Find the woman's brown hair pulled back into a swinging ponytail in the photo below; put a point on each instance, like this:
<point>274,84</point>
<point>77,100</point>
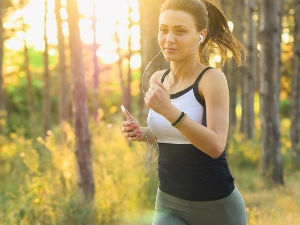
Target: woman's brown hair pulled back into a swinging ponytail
<point>210,17</point>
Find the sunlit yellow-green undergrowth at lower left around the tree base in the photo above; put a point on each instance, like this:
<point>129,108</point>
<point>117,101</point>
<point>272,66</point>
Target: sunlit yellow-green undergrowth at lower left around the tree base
<point>39,186</point>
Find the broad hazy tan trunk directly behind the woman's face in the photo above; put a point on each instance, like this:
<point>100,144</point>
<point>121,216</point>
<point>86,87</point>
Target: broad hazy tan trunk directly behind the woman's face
<point>149,14</point>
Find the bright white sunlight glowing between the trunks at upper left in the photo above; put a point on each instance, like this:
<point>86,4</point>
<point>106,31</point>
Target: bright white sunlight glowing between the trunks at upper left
<point>110,21</point>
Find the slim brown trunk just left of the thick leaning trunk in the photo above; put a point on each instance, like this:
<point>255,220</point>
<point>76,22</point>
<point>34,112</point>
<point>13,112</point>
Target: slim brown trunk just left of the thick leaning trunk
<point>63,79</point>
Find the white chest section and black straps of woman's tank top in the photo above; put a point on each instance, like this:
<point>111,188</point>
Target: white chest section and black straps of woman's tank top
<point>188,101</point>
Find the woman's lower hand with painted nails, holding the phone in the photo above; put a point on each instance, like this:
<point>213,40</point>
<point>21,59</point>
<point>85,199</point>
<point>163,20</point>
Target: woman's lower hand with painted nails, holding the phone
<point>131,128</point>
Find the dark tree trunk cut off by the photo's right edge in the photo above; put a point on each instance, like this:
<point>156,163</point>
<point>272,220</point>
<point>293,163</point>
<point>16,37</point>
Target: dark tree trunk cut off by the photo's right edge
<point>295,106</point>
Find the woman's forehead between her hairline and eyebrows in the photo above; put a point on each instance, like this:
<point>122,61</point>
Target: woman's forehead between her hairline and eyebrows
<point>175,18</point>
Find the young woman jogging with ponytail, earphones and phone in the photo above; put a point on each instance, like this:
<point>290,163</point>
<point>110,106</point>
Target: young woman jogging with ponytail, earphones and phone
<point>189,119</point>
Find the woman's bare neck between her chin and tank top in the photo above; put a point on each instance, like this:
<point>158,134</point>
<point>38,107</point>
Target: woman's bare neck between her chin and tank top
<point>184,68</point>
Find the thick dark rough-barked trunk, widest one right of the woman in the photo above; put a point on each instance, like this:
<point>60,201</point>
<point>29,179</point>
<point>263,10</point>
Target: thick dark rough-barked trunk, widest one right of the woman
<point>269,110</point>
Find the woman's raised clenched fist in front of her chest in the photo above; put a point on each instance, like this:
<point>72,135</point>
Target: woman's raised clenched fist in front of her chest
<point>158,98</point>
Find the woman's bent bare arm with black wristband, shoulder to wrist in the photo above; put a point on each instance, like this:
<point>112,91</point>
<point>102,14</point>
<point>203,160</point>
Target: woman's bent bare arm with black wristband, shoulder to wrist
<point>211,139</point>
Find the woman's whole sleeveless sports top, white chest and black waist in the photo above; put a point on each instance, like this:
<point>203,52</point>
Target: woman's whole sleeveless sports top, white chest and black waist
<point>184,171</point>
